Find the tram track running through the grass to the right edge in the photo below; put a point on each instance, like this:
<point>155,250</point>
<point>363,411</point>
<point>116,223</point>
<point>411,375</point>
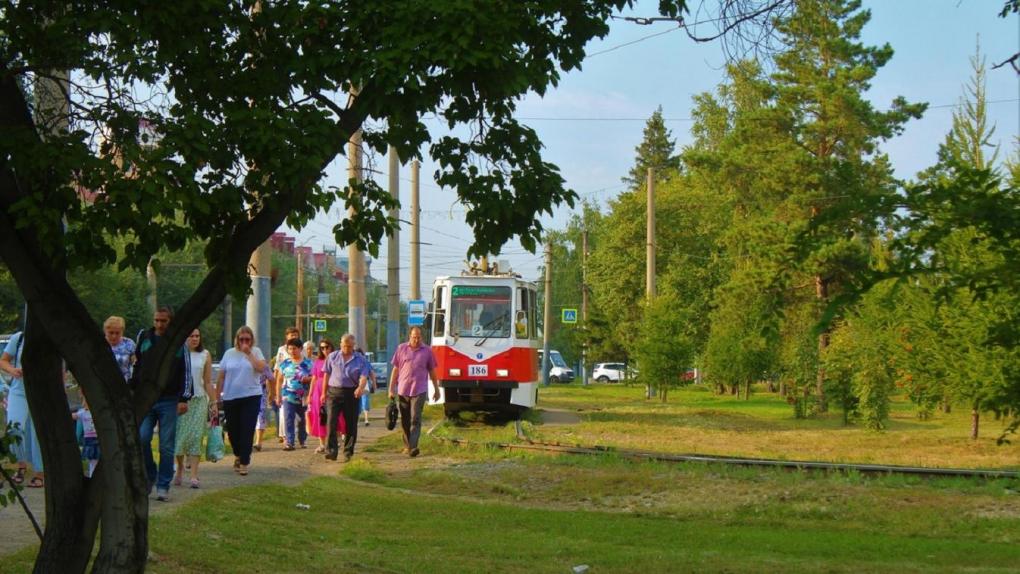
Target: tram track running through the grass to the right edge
<point>862,468</point>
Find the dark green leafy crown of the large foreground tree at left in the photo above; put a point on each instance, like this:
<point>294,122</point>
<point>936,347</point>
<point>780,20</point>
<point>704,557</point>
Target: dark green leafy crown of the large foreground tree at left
<point>258,114</point>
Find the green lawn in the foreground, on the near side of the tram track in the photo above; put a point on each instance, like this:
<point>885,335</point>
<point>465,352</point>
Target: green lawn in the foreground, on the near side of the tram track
<point>487,511</point>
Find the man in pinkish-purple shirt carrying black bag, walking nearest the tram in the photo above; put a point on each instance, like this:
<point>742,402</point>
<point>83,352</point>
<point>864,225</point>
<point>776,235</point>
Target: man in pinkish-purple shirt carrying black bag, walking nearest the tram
<point>414,366</point>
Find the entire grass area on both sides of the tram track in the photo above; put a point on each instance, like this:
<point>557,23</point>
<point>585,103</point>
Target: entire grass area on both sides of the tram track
<point>479,509</point>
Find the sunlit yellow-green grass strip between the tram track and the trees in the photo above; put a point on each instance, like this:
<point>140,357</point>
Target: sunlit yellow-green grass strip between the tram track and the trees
<point>696,421</point>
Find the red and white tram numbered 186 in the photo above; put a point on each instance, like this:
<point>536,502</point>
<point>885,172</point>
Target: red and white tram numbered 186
<point>485,340</point>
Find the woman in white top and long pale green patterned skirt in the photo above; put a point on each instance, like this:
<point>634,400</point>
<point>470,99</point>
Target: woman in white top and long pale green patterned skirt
<point>192,426</point>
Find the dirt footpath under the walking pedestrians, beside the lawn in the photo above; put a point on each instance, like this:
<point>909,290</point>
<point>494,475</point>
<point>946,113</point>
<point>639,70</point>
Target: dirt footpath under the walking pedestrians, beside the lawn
<point>273,465</point>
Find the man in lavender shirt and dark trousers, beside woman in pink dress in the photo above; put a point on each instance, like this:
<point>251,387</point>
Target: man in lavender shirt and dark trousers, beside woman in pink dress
<point>347,375</point>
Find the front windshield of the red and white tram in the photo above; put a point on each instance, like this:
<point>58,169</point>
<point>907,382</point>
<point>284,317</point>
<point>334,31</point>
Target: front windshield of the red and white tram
<point>481,311</point>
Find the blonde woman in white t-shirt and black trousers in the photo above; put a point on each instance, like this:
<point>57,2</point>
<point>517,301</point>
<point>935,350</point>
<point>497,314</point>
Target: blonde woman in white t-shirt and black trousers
<point>240,373</point>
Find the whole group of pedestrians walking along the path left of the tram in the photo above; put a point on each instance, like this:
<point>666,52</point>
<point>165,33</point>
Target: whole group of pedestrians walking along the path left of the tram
<point>318,394</point>
